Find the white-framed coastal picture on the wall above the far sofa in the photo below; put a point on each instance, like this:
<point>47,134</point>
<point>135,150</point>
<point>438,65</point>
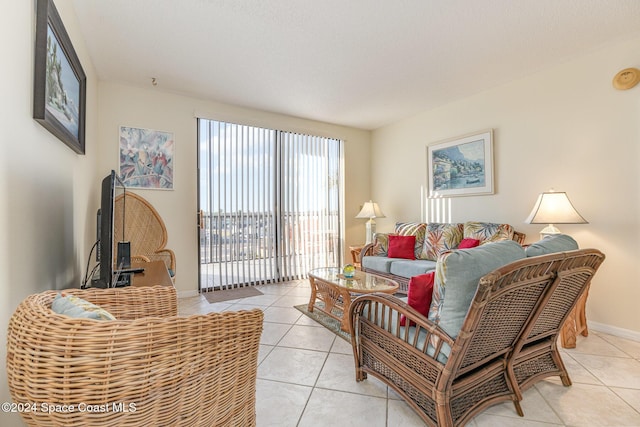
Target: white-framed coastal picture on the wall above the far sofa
<point>461,166</point>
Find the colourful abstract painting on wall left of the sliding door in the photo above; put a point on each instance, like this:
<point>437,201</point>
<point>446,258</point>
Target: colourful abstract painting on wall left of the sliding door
<point>146,158</point>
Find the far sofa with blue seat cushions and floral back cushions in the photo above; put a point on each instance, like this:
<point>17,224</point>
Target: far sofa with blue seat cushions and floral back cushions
<point>431,240</point>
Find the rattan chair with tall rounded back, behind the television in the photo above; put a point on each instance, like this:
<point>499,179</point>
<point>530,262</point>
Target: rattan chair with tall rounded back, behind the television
<point>144,228</point>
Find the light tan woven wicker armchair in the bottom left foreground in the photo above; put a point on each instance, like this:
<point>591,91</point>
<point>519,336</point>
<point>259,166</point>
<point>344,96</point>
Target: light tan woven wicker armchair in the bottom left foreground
<point>148,368</point>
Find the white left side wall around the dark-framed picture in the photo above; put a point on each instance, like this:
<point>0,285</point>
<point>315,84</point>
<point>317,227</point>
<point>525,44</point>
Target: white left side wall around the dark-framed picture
<point>47,192</point>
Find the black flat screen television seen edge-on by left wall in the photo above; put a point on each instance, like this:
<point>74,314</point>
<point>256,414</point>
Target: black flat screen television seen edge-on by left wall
<point>107,245</point>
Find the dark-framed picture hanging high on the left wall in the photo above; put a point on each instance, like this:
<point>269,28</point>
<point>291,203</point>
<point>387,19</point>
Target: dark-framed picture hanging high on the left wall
<point>59,90</point>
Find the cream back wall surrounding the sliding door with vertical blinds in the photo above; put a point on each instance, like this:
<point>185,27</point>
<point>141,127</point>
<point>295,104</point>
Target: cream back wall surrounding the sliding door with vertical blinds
<point>156,109</point>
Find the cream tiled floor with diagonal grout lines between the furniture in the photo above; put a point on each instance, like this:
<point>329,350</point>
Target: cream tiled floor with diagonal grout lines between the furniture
<point>306,376</point>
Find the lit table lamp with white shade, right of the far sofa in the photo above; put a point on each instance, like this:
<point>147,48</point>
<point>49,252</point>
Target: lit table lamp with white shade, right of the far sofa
<point>554,208</point>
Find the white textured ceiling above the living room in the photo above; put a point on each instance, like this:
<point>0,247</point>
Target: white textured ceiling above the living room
<point>359,63</point>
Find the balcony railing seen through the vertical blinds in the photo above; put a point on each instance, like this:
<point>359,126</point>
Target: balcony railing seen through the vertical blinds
<point>247,247</point>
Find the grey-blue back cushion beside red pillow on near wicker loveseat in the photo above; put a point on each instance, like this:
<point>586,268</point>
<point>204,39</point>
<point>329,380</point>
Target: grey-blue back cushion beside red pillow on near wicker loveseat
<point>457,276</point>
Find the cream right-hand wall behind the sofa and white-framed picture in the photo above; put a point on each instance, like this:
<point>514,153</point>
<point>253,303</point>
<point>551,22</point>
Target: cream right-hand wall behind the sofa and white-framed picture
<point>563,127</point>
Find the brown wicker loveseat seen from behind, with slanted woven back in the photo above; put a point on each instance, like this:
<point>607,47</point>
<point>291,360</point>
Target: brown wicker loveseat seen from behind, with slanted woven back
<point>447,381</point>
